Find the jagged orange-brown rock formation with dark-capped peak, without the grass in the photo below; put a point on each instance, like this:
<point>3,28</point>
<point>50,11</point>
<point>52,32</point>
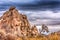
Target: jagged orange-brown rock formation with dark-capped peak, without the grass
<point>14,23</point>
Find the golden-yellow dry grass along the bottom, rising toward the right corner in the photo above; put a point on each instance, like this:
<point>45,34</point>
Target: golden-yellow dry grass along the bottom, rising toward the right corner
<point>49,37</point>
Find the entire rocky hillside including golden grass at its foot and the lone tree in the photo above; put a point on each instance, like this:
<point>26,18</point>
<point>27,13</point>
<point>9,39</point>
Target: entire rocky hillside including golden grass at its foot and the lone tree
<point>15,26</point>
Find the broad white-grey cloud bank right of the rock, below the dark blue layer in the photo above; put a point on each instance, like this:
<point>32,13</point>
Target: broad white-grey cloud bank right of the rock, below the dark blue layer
<point>43,17</point>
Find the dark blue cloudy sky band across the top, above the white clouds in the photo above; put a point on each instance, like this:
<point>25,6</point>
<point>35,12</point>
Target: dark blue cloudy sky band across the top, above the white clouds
<point>31,4</point>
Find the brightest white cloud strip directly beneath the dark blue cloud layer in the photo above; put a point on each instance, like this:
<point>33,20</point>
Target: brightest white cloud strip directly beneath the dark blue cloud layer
<point>43,14</point>
